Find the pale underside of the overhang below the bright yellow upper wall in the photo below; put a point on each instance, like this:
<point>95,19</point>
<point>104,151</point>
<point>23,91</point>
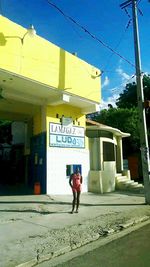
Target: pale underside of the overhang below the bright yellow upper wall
<point>18,88</point>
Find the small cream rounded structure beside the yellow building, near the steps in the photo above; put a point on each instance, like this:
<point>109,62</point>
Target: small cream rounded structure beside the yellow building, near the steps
<point>106,156</point>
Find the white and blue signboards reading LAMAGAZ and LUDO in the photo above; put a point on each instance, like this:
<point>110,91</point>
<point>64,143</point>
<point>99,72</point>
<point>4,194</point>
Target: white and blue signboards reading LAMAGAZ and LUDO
<point>63,136</point>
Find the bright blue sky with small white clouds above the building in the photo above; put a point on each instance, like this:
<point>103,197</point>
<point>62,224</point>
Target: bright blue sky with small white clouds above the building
<point>104,19</point>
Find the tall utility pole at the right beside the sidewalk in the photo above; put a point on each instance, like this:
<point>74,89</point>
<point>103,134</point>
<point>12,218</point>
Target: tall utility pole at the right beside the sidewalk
<point>140,99</point>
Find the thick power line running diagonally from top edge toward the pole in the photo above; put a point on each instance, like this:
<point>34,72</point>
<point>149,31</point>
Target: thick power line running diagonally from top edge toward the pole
<point>89,33</point>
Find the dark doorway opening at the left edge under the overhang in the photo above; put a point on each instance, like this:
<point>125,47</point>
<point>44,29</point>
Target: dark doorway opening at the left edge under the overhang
<point>13,162</point>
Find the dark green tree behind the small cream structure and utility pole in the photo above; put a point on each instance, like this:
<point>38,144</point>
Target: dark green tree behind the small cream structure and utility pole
<point>125,116</point>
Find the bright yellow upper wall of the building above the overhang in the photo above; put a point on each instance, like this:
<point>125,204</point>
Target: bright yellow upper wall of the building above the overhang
<point>43,61</point>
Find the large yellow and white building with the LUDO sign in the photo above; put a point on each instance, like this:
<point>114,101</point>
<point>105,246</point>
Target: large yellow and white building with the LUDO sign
<point>46,93</point>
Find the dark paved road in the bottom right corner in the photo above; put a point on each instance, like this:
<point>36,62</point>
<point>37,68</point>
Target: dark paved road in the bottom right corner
<point>132,250</point>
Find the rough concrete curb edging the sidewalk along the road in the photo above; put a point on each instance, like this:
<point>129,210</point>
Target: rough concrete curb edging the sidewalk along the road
<point>94,237</point>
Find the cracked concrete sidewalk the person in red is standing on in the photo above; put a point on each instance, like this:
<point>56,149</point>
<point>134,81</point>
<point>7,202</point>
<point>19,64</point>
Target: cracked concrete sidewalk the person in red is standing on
<point>36,228</point>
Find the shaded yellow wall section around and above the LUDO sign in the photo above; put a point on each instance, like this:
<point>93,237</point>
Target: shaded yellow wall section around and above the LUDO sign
<point>67,111</point>
